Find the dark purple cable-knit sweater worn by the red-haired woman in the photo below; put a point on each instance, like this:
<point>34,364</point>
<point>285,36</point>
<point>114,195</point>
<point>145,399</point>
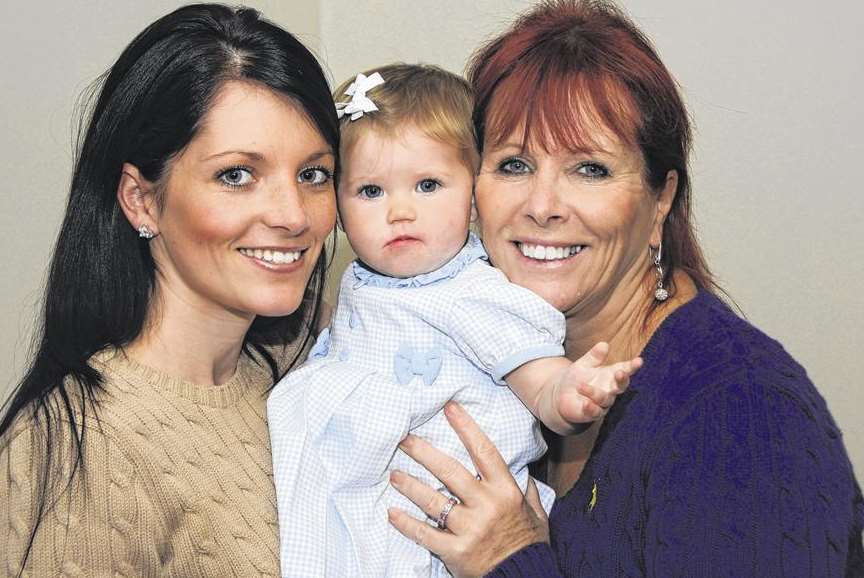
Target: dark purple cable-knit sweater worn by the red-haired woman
<point>721,460</point>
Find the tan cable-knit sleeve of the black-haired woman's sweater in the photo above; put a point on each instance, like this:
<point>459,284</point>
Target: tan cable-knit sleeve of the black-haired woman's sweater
<point>101,524</point>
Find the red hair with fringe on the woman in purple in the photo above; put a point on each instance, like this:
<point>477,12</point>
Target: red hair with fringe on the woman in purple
<point>569,68</point>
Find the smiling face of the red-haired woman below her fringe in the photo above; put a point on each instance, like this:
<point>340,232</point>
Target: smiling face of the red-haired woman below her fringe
<point>574,227</point>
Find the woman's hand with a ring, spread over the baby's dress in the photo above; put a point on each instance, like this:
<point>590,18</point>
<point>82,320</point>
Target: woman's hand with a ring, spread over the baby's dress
<point>492,520</point>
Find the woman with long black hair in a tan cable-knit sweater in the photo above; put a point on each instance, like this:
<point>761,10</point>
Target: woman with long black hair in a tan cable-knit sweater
<point>185,280</point>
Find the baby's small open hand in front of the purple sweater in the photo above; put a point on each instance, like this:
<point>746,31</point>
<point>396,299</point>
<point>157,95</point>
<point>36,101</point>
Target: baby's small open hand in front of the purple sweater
<point>589,388</point>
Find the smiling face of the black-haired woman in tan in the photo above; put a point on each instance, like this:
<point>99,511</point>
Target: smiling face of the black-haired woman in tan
<point>246,207</point>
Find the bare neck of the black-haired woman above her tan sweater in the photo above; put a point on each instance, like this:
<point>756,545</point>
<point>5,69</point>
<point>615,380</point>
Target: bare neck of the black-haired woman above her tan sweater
<point>189,341</point>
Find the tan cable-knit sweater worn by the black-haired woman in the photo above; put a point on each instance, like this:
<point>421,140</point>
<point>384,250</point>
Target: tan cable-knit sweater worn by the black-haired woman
<point>176,482</point>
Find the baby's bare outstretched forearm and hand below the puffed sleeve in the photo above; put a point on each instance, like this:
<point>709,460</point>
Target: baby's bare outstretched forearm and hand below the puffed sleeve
<point>561,393</point>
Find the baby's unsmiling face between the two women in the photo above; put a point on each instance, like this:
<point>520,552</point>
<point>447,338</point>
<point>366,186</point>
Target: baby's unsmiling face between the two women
<point>404,201</point>
